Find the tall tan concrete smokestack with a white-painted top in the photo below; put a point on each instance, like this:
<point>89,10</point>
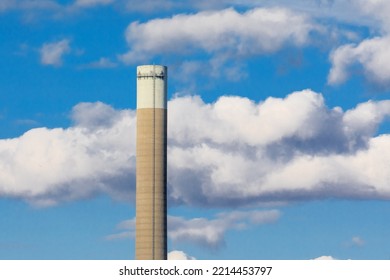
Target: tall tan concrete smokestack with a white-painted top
<point>151,170</point>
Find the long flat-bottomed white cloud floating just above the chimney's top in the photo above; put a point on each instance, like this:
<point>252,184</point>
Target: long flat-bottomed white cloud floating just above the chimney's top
<point>224,32</point>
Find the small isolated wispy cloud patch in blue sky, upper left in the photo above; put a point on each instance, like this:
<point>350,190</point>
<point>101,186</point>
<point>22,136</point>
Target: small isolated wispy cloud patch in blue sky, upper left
<point>52,53</point>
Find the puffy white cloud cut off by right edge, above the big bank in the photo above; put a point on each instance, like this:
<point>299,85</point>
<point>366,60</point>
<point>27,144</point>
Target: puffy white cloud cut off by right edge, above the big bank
<point>372,55</point>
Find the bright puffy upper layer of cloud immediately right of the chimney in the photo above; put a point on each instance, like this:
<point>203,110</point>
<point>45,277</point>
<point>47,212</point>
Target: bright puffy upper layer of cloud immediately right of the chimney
<point>238,119</point>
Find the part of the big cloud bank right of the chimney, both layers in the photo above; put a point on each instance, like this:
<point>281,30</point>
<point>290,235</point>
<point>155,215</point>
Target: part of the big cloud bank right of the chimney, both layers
<point>236,151</point>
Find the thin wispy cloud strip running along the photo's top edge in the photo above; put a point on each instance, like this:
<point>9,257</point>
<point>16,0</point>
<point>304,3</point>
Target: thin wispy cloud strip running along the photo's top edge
<point>371,13</point>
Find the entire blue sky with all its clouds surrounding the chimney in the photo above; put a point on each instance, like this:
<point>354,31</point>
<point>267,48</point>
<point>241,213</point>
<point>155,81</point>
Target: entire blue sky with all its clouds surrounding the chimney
<point>278,127</point>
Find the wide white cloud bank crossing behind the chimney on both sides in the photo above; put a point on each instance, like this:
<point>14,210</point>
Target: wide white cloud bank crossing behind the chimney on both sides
<point>229,153</point>
